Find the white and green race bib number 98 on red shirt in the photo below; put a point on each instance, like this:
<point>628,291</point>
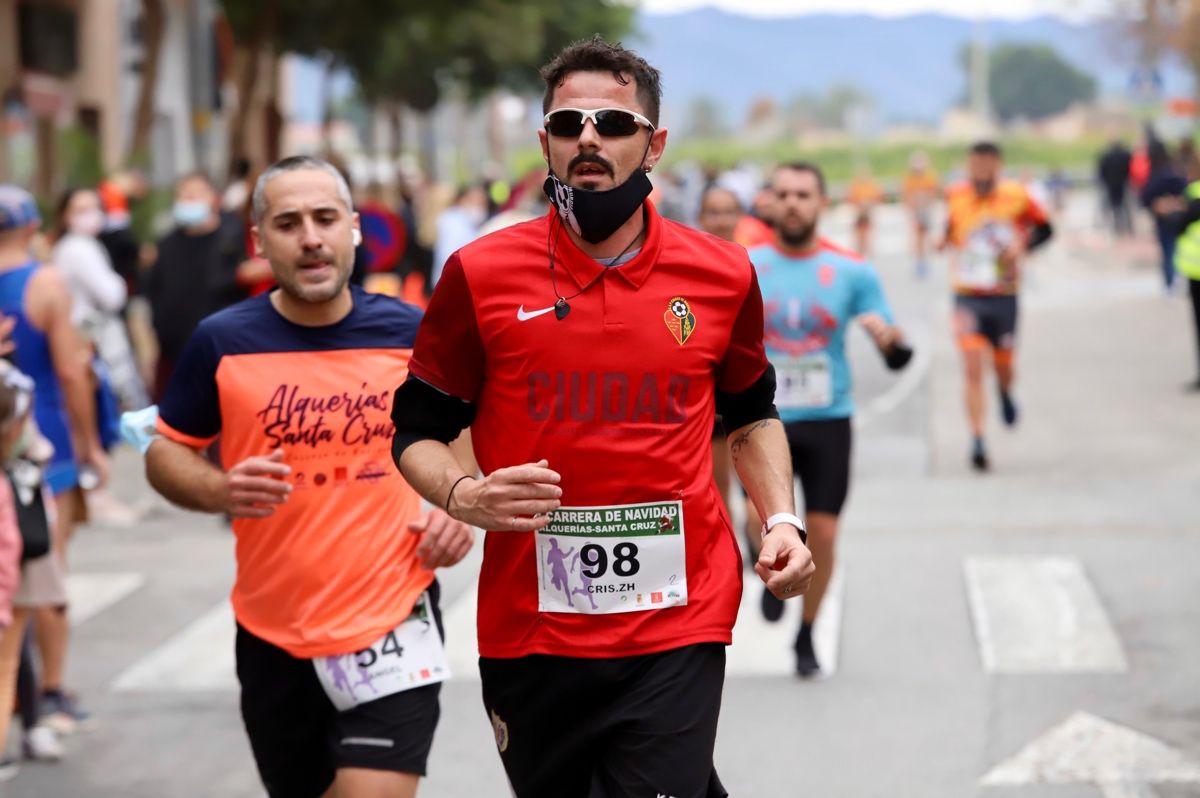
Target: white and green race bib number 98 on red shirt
<point>616,559</point>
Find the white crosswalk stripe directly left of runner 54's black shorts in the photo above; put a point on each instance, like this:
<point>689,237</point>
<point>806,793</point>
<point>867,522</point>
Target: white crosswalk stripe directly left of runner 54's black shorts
<point>200,657</point>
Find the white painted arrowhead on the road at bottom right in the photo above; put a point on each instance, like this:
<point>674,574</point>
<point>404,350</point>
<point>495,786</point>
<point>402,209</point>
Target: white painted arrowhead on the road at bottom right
<point>1085,749</point>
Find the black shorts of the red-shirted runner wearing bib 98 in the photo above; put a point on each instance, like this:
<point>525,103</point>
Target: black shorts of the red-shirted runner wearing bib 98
<point>574,728</point>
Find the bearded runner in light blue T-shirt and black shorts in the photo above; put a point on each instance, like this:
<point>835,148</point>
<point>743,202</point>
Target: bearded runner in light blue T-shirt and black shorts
<point>812,292</point>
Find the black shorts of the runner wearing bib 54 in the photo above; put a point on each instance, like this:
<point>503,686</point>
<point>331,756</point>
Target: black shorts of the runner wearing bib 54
<point>301,741</point>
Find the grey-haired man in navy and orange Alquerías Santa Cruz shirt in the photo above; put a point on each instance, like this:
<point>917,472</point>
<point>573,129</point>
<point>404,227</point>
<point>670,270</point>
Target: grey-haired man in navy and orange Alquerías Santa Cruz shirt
<point>339,662</point>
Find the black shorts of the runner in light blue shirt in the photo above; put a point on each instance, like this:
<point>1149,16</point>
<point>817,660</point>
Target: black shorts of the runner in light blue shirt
<point>821,461</point>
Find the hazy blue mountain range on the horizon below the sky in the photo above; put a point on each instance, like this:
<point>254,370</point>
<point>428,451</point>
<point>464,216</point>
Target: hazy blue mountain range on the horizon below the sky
<point>910,65</point>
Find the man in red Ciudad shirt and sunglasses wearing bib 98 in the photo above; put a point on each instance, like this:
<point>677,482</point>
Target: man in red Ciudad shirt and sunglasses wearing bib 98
<point>589,351</point>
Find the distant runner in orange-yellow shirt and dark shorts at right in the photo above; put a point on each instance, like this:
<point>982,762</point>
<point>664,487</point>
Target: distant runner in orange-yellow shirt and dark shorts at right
<point>992,225</point>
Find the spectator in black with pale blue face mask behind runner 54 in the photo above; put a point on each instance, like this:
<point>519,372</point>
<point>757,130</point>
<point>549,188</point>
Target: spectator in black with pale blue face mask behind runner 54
<point>196,273</point>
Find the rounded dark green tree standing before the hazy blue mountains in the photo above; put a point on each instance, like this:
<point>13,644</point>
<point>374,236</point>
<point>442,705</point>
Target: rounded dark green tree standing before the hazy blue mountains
<point>1033,81</point>
